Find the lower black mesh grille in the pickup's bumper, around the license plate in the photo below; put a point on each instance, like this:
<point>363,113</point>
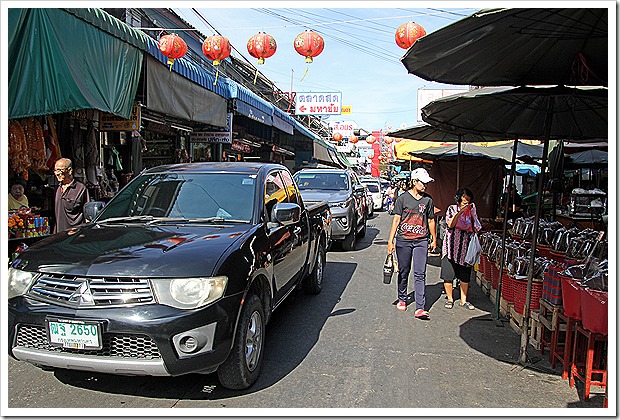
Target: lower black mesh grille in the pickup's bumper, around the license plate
<point>131,346</point>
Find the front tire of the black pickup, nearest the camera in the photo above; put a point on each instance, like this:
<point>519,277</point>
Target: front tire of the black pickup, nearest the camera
<point>241,368</point>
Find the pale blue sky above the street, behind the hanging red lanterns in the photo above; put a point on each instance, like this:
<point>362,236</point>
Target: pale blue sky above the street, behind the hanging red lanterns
<point>360,59</point>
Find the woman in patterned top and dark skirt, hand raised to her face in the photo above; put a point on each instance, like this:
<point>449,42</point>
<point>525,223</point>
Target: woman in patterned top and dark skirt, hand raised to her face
<point>462,221</point>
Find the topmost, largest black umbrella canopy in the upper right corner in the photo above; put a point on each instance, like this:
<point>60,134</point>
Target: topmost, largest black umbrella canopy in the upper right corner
<point>497,47</point>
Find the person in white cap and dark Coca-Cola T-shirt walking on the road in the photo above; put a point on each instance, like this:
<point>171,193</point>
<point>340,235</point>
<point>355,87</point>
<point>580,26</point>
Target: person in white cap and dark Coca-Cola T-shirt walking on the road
<point>412,227</point>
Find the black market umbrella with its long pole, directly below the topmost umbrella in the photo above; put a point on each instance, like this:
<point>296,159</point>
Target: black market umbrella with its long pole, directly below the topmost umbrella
<point>559,112</point>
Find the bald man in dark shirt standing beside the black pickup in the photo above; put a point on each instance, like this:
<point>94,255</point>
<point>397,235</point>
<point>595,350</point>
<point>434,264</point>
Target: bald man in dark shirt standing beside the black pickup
<point>71,195</point>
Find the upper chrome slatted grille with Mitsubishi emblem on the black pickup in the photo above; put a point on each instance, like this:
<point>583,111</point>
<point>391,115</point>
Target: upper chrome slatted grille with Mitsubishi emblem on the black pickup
<point>75,291</point>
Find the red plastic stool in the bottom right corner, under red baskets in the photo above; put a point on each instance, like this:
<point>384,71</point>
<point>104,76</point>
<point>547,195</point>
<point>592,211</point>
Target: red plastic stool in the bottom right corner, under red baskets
<point>589,359</point>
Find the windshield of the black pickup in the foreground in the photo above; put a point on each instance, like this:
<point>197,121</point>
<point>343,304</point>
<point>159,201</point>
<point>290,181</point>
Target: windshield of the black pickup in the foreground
<point>190,196</point>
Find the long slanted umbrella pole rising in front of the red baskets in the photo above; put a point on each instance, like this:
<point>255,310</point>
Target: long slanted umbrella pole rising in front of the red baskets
<point>539,204</point>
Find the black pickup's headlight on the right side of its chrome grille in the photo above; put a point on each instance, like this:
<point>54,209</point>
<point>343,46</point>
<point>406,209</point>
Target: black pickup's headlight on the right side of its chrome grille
<point>189,293</point>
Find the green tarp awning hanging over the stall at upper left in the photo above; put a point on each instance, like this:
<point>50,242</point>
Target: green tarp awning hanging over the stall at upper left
<point>60,62</point>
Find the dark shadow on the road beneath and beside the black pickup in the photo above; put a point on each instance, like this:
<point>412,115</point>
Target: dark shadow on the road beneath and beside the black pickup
<point>291,334</point>
